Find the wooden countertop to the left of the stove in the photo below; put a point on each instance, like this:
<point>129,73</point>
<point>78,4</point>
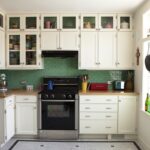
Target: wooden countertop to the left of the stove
<point>18,92</point>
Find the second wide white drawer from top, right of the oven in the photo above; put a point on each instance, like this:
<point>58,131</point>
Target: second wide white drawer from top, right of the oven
<point>98,107</point>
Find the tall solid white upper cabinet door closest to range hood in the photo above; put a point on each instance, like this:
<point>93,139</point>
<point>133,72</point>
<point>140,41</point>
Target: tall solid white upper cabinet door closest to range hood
<point>89,51</point>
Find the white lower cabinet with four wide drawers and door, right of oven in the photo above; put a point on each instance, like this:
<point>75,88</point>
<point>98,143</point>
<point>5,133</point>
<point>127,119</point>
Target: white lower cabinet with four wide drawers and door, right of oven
<point>105,114</point>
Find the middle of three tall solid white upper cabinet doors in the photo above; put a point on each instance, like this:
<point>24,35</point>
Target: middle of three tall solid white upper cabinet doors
<point>107,49</point>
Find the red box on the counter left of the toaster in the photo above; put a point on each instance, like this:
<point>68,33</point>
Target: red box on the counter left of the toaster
<point>99,86</point>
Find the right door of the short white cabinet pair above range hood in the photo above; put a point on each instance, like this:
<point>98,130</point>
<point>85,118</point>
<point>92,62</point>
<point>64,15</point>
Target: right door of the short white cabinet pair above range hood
<point>69,40</point>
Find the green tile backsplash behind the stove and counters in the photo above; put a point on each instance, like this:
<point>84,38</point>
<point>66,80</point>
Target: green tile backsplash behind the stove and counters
<point>58,67</point>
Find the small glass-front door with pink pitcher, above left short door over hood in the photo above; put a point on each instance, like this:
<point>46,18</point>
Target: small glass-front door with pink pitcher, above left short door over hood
<point>50,22</point>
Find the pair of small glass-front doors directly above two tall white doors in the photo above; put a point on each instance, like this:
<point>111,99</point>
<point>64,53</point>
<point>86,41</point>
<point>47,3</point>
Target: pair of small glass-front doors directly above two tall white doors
<point>95,22</point>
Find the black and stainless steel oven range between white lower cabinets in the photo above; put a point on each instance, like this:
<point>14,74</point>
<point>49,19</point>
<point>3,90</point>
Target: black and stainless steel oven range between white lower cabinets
<point>58,112</point>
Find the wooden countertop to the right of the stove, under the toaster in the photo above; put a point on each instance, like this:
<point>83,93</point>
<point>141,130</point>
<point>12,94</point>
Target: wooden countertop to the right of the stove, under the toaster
<point>109,93</point>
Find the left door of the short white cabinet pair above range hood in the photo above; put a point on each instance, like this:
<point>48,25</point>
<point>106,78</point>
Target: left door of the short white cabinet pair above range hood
<point>49,40</point>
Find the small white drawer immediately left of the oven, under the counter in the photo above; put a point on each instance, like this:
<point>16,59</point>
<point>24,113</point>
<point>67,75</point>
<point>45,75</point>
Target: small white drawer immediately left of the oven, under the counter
<point>26,99</point>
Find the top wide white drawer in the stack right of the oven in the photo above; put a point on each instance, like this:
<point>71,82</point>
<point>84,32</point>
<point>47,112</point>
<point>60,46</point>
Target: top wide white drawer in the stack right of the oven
<point>98,99</point>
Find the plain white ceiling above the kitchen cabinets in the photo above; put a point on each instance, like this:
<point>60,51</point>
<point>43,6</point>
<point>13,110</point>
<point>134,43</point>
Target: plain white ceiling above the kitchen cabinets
<point>70,5</point>
